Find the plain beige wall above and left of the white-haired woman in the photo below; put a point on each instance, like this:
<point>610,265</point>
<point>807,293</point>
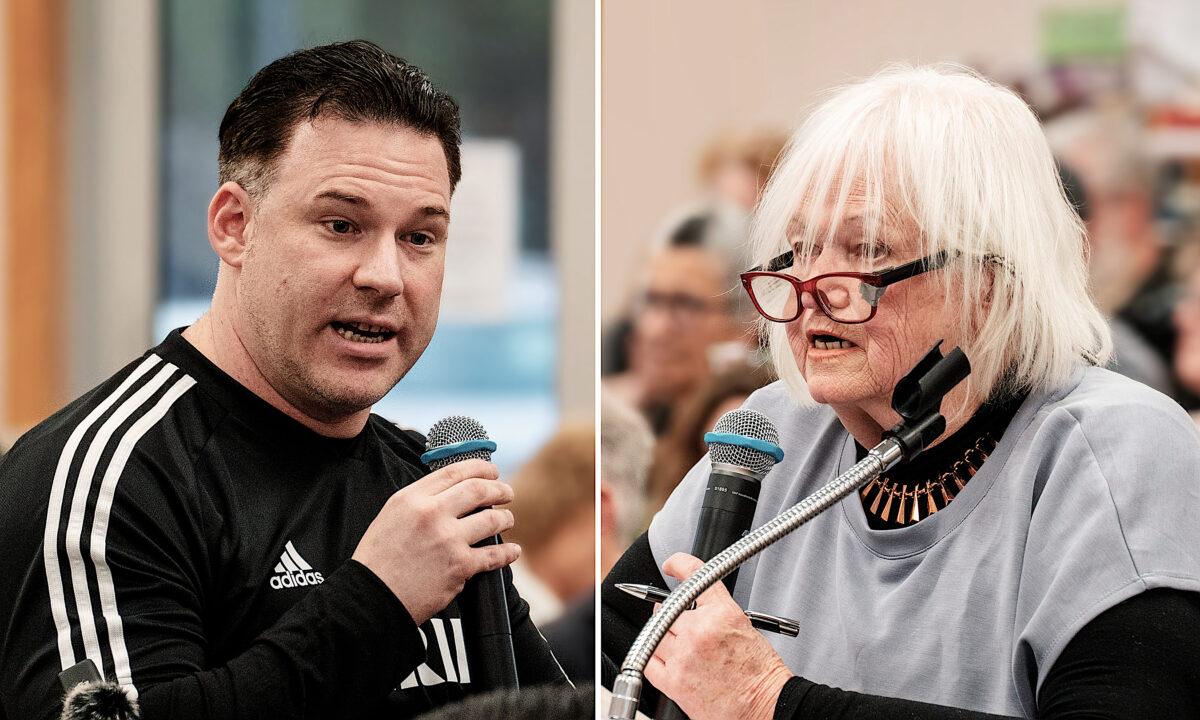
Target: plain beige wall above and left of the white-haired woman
<point>676,73</point>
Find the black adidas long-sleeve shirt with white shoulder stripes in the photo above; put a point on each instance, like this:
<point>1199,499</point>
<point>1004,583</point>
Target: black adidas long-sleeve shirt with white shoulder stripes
<point>195,543</point>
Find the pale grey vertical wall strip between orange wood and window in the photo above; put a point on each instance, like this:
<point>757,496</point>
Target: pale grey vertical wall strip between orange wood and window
<point>113,121</point>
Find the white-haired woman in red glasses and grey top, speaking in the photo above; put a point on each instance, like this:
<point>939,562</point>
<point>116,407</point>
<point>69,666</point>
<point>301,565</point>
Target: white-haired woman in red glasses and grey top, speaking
<point>1043,559</point>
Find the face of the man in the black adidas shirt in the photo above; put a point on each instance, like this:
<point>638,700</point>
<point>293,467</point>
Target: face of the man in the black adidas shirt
<point>341,279</point>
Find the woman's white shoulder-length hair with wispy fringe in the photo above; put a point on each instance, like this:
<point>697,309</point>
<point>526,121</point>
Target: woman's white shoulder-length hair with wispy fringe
<point>964,163</point>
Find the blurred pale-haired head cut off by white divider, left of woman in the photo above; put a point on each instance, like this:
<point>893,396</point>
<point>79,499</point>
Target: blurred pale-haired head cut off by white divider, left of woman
<point>626,452</point>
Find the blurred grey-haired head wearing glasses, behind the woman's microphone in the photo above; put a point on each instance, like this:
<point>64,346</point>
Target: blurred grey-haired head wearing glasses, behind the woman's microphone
<point>688,317</point>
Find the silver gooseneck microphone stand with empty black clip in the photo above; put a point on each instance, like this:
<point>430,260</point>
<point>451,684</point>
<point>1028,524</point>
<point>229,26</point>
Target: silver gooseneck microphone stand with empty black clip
<point>917,399</point>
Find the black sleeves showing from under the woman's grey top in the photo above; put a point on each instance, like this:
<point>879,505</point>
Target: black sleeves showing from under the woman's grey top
<point>1141,659</point>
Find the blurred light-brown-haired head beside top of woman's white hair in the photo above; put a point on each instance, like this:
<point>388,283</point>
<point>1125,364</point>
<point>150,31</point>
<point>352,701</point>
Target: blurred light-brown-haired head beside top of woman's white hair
<point>735,166</point>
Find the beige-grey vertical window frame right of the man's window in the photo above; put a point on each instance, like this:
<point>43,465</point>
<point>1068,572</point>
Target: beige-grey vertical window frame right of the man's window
<point>573,202</point>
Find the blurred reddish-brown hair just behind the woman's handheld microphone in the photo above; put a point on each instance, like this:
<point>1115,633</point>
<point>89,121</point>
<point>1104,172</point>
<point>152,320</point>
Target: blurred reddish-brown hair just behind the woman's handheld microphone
<point>683,443</point>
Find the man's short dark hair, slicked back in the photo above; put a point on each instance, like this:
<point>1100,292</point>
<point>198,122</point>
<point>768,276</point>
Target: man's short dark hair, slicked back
<point>355,81</point>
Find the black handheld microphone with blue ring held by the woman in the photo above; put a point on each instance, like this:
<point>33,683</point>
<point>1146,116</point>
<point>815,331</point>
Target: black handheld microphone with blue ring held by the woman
<point>743,447</point>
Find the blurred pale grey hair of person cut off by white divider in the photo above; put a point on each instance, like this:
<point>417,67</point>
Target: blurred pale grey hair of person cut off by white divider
<point>626,451</point>
